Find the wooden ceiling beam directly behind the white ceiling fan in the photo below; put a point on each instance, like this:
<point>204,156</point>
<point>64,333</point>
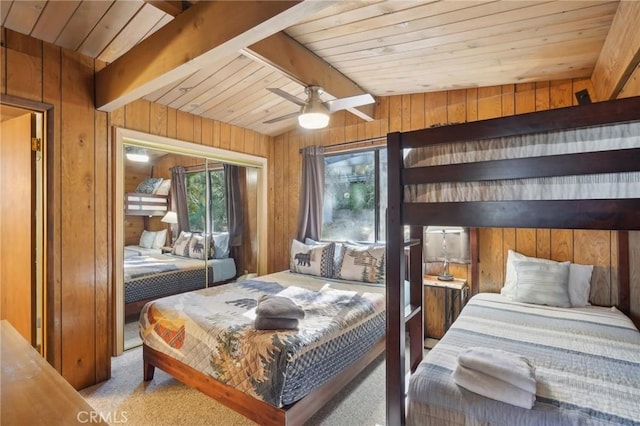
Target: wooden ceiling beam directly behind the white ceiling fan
<point>284,54</point>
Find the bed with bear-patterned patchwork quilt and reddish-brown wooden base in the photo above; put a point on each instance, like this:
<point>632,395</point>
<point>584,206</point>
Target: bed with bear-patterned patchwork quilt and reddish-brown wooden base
<point>207,339</point>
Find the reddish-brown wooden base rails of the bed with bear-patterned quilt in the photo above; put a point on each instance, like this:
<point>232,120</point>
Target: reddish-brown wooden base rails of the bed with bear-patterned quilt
<point>252,408</point>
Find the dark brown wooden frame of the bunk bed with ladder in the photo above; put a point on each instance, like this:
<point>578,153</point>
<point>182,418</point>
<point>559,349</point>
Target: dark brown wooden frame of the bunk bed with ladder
<point>621,215</point>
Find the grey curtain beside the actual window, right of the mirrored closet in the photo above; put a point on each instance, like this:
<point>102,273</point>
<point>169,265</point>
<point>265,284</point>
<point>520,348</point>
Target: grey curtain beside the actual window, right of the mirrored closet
<point>311,193</point>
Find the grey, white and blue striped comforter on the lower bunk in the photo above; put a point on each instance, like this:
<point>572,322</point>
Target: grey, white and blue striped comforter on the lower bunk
<point>587,363</point>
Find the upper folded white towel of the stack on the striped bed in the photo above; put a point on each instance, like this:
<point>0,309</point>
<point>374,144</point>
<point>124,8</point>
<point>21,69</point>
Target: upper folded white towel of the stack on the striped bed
<point>506,366</point>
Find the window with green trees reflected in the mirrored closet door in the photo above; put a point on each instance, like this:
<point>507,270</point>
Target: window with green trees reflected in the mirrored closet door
<point>196,200</point>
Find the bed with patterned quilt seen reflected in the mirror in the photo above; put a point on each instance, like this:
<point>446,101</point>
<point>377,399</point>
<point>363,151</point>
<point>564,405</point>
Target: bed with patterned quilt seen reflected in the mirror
<point>154,275</point>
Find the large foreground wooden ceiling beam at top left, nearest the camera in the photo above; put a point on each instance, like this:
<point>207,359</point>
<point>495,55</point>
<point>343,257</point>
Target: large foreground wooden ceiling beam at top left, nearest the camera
<point>189,43</point>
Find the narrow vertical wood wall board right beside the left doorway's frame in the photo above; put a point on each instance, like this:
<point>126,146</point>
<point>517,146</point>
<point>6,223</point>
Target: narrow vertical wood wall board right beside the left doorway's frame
<point>51,92</point>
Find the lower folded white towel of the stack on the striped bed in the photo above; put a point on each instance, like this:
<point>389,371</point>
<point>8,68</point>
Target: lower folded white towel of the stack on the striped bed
<point>493,388</point>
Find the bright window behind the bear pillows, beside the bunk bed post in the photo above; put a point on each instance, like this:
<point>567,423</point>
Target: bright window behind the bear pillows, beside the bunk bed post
<point>355,197</point>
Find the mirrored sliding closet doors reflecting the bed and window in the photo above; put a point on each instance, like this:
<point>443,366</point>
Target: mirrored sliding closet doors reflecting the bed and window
<point>176,237</point>
